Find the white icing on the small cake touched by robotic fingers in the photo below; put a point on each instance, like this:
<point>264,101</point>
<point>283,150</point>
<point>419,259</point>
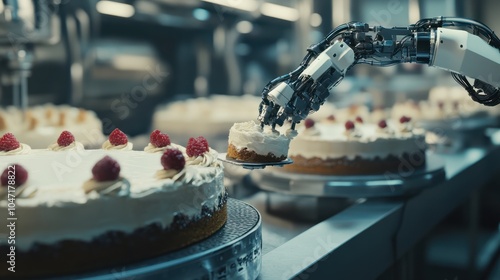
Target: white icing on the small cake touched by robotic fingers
<point>251,136</point>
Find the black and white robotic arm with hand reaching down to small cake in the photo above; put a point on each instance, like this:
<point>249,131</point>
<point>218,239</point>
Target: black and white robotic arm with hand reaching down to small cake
<point>462,46</point>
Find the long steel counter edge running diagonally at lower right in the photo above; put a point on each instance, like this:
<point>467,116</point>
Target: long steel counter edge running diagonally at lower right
<point>371,234</point>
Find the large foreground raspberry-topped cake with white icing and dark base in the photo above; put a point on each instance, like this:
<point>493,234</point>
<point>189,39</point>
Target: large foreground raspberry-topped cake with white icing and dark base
<point>72,210</point>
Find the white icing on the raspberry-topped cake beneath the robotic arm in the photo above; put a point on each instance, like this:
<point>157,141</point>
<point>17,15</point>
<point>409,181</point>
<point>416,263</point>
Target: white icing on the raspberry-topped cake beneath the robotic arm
<point>333,142</point>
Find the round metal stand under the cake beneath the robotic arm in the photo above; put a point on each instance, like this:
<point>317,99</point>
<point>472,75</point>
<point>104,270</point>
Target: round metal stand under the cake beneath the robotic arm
<point>385,185</point>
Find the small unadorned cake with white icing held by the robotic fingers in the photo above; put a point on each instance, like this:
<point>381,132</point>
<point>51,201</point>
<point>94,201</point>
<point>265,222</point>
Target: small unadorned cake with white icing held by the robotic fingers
<point>249,142</point>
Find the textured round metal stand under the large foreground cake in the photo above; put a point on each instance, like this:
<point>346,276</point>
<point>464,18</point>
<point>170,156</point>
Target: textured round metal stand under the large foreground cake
<point>234,252</point>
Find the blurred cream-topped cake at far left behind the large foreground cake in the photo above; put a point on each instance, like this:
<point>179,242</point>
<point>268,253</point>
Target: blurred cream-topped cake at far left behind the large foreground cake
<point>40,125</point>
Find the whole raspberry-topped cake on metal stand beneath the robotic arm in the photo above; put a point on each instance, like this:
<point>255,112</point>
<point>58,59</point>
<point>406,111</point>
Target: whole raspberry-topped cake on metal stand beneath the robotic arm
<point>356,148</point>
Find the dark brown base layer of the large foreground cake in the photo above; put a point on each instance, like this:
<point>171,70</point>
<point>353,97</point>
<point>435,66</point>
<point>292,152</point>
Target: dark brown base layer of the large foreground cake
<point>115,247</point>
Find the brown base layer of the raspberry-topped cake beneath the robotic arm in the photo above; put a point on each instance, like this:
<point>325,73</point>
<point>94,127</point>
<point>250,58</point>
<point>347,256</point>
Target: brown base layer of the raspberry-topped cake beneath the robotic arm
<point>356,166</point>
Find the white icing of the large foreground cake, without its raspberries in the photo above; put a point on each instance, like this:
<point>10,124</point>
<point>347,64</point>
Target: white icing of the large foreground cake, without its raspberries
<point>61,209</point>
